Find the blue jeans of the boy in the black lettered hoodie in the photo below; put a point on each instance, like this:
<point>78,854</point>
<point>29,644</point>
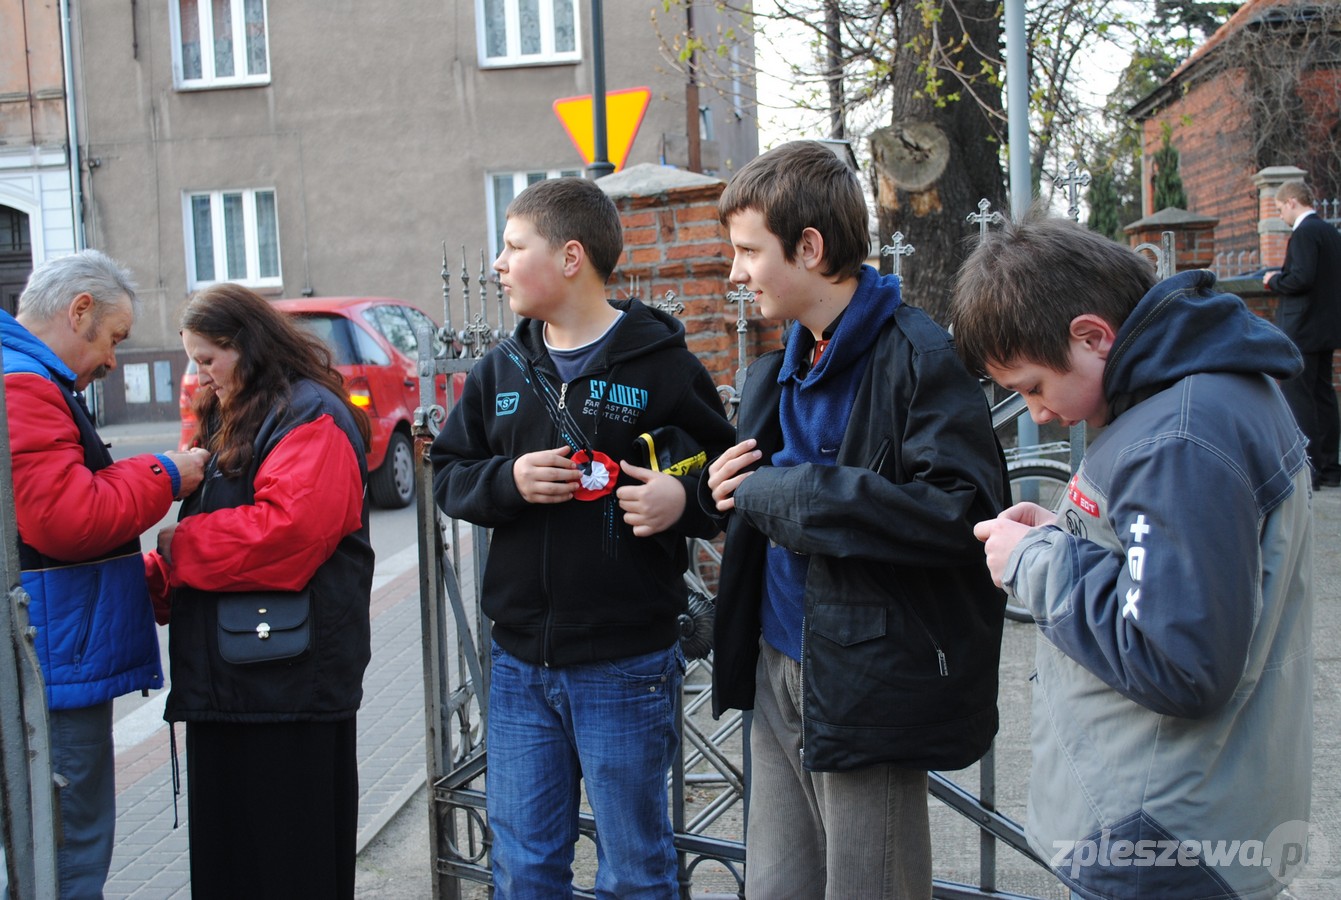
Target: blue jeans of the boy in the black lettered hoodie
<point>612,724</point>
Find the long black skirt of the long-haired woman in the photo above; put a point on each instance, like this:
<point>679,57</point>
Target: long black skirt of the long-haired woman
<point>273,809</point>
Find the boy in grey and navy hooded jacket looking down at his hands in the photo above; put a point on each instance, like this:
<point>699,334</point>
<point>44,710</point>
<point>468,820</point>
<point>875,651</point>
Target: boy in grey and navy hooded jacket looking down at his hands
<point>1173,589</point>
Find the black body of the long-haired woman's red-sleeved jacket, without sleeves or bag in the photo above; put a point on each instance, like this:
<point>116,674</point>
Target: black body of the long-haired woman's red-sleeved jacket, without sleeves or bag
<point>325,685</point>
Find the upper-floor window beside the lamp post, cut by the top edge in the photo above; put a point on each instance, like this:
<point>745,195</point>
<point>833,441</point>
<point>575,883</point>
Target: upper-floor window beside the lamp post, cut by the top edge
<point>528,33</point>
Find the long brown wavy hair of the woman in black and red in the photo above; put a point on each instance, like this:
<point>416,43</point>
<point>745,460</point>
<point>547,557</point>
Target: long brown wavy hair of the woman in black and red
<point>273,353</point>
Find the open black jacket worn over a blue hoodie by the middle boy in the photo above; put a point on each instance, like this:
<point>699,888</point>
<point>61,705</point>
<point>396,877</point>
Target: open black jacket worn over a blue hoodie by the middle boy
<point>903,624</point>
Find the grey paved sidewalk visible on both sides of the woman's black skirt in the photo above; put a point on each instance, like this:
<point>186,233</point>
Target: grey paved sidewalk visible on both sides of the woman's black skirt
<point>151,860</point>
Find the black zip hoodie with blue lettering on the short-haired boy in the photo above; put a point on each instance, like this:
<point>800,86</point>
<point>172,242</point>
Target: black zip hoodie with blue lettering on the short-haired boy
<point>569,584</point>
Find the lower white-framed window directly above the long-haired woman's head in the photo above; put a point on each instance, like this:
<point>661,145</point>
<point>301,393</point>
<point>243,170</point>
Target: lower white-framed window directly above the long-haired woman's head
<point>233,237</point>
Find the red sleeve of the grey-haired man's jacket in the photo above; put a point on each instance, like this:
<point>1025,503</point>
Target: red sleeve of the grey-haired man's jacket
<point>64,509</point>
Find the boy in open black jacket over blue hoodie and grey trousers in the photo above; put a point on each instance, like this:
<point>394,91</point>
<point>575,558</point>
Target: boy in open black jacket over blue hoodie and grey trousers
<point>855,616</point>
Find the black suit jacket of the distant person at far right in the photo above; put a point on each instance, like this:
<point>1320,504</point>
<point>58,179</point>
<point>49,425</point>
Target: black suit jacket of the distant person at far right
<point>1311,286</point>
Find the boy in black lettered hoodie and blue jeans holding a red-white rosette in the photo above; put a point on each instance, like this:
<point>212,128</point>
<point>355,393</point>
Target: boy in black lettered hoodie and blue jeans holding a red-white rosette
<point>585,576</point>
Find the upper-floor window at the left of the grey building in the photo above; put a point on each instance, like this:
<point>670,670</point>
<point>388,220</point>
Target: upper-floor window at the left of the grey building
<point>219,44</point>
